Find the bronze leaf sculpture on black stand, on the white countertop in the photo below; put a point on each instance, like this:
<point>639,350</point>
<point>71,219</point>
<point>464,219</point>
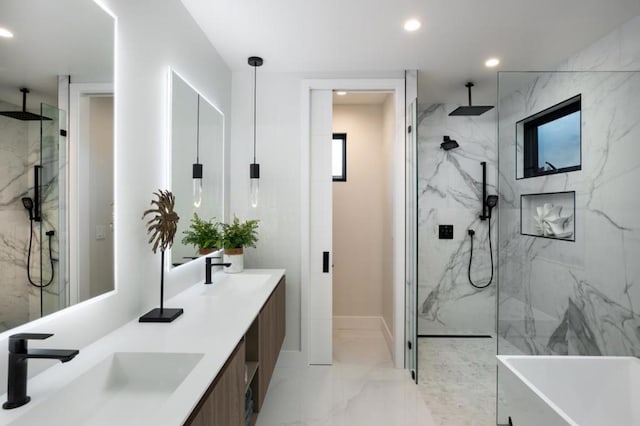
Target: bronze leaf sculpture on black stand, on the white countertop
<point>162,228</point>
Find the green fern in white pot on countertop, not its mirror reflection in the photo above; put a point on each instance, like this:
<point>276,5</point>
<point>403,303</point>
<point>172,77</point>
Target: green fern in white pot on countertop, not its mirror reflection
<point>235,236</point>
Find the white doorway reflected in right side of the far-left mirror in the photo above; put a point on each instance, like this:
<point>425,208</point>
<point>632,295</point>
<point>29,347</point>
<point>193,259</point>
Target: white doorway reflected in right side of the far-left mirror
<point>91,192</point>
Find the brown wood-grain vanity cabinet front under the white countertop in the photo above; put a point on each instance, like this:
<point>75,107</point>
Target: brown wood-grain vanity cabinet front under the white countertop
<point>255,356</point>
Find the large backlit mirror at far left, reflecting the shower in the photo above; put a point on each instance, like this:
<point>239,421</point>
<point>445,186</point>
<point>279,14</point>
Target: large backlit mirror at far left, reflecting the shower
<point>56,130</point>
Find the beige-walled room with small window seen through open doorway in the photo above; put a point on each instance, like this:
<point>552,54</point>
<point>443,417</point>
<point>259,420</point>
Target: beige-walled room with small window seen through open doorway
<point>363,126</point>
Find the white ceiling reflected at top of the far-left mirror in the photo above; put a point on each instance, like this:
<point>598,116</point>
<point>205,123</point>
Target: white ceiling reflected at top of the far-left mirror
<point>51,39</point>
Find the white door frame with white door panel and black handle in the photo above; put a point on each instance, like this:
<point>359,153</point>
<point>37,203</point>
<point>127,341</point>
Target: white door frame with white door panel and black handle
<point>317,226</point>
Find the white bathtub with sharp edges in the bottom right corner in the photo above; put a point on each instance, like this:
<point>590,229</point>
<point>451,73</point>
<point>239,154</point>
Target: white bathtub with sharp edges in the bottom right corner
<point>570,390</point>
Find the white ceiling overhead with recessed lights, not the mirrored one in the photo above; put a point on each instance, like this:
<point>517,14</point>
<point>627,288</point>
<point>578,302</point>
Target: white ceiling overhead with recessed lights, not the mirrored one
<point>364,36</point>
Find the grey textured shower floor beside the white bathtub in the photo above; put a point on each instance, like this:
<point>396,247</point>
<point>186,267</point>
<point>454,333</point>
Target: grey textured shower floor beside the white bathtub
<point>457,380</point>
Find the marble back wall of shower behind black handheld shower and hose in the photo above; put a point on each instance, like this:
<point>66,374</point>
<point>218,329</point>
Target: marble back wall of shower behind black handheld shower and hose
<point>449,193</point>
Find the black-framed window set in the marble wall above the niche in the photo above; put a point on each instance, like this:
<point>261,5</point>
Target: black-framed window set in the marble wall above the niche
<point>551,140</point>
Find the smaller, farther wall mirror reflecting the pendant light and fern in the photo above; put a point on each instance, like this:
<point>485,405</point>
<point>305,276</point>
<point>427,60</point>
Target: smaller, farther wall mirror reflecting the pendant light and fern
<point>197,162</point>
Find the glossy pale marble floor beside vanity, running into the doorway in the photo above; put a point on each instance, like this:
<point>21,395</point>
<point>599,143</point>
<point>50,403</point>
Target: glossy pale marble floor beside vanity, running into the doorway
<point>360,388</point>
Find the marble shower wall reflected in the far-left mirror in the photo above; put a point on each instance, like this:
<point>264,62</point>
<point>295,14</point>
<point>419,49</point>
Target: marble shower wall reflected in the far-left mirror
<point>24,144</point>
